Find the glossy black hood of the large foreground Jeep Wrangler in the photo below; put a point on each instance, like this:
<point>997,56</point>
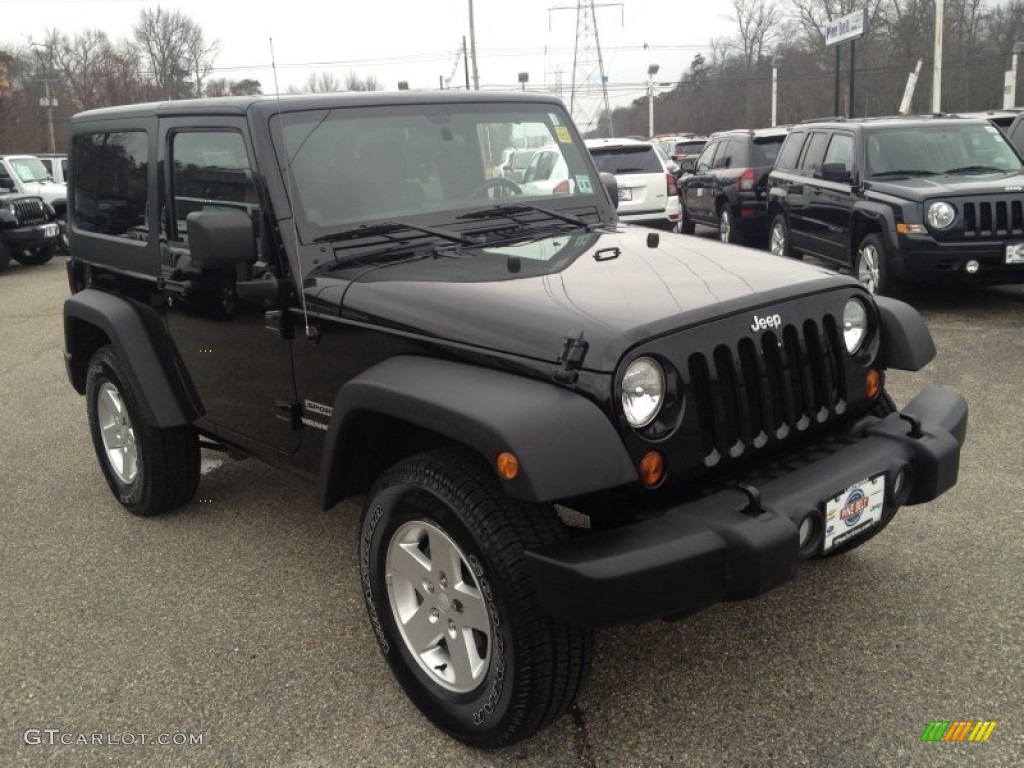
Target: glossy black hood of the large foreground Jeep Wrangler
<point>613,288</point>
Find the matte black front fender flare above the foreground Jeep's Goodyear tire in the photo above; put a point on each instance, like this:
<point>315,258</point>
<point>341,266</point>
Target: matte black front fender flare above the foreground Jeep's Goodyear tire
<point>566,444</point>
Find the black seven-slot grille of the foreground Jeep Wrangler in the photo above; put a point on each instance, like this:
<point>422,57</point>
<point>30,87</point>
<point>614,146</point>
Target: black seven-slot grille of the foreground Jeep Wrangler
<point>766,389</point>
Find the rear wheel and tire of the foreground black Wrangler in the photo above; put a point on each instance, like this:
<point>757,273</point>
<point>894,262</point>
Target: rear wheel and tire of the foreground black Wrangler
<point>151,471</point>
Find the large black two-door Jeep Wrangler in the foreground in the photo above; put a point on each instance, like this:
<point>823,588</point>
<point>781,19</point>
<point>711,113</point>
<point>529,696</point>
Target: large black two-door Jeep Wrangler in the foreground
<point>335,284</point>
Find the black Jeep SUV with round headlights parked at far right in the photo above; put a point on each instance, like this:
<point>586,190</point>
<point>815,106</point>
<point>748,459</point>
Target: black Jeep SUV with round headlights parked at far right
<point>902,199</point>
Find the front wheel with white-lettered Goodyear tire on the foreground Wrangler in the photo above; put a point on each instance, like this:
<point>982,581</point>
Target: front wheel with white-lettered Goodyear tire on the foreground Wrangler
<point>514,669</point>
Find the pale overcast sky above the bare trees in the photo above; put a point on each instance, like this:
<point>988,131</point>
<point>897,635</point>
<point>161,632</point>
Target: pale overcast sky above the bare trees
<point>412,40</point>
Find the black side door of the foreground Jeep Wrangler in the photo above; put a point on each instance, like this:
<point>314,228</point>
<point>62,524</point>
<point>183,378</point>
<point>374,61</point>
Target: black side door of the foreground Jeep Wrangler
<point>241,371</point>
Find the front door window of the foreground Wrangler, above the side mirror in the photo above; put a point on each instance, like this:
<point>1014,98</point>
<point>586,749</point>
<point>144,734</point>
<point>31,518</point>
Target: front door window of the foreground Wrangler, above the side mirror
<point>210,169</point>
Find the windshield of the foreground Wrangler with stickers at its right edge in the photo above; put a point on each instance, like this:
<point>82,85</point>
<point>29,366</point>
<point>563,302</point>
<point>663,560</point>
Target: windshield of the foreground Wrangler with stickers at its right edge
<point>351,166</point>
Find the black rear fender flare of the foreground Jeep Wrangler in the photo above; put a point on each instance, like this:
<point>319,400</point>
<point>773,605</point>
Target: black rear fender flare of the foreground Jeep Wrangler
<point>149,358</point>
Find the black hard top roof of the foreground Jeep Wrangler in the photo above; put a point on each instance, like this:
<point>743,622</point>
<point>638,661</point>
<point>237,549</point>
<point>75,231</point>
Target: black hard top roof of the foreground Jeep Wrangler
<point>289,103</point>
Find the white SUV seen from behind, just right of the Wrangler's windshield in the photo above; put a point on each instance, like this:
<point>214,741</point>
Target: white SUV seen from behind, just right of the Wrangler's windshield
<point>648,193</point>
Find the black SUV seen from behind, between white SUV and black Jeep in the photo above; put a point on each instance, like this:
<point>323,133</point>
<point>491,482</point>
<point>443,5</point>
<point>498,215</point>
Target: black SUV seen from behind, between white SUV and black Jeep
<point>729,187</point>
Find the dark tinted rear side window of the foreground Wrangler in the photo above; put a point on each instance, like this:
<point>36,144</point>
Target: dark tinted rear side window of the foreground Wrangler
<point>111,173</point>
